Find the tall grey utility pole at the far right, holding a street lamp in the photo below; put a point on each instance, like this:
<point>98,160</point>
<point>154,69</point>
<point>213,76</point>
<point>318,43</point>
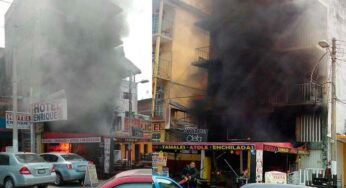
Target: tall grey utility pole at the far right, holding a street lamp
<point>333,113</point>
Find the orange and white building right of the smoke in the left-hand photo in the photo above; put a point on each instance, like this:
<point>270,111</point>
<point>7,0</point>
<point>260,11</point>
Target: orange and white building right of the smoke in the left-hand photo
<point>131,130</point>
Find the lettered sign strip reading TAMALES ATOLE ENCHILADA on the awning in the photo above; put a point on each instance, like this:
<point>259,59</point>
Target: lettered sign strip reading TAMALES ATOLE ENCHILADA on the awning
<point>206,147</point>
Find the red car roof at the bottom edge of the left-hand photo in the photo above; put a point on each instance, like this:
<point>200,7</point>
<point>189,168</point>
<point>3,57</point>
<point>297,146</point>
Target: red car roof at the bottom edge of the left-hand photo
<point>141,178</point>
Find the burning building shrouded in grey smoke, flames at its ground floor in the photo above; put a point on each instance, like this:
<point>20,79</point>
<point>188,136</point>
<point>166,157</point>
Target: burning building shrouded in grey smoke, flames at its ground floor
<point>72,51</point>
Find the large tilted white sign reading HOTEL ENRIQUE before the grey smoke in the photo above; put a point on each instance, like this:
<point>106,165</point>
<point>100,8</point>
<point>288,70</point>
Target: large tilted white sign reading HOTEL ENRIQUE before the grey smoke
<point>49,111</point>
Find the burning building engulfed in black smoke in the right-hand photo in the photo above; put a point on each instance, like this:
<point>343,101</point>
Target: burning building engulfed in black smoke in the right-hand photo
<point>267,76</point>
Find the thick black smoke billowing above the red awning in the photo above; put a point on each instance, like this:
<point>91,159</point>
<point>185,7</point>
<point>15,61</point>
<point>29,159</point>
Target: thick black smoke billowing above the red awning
<point>254,58</point>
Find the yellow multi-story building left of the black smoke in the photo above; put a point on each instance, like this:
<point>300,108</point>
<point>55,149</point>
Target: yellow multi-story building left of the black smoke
<point>175,82</point>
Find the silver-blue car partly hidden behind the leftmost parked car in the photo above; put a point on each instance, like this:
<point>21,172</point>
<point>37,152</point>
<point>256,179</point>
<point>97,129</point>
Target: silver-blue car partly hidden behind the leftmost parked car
<point>68,166</point>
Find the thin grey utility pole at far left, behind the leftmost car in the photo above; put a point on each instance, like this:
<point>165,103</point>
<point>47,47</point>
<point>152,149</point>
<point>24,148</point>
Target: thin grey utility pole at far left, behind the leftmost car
<point>14,101</point>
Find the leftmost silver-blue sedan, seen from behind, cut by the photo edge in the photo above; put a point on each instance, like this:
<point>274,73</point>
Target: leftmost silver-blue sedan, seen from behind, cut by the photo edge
<point>25,169</point>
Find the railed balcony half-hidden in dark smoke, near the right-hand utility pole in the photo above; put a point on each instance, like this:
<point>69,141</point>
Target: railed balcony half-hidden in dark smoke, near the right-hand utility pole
<point>299,94</point>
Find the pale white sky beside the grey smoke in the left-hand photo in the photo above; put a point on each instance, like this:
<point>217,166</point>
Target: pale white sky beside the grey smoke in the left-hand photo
<point>137,44</point>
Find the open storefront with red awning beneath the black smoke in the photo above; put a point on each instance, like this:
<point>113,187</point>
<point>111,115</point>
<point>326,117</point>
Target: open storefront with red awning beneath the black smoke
<point>228,161</point>
